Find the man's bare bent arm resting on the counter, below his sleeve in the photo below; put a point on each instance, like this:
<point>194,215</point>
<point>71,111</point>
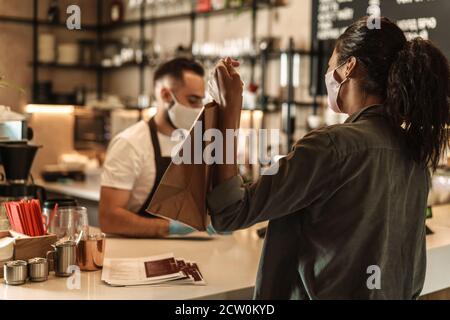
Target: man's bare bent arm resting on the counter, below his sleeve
<point>116,219</point>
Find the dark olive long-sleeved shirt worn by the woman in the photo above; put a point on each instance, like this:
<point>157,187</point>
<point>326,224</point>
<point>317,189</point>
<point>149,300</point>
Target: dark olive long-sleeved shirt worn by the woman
<point>346,201</point>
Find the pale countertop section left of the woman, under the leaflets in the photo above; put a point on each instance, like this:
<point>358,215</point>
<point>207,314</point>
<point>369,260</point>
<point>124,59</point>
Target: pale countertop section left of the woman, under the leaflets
<point>228,264</point>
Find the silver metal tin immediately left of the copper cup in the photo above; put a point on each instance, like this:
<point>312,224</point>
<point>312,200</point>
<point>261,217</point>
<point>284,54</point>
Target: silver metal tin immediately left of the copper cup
<point>64,257</point>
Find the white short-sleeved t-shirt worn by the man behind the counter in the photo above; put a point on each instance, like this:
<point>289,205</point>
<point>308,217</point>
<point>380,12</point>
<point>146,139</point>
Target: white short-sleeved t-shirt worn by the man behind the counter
<point>130,162</point>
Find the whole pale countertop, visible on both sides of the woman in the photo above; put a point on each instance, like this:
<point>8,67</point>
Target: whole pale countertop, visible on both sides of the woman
<point>228,263</point>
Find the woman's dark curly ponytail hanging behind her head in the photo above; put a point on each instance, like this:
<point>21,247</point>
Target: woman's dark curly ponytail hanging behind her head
<point>417,100</point>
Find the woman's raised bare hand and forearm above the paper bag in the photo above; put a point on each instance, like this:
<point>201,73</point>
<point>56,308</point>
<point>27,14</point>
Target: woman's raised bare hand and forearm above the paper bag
<point>230,90</point>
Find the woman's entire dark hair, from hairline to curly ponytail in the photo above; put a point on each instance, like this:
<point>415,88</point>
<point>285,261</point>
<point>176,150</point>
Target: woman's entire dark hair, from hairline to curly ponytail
<point>412,77</point>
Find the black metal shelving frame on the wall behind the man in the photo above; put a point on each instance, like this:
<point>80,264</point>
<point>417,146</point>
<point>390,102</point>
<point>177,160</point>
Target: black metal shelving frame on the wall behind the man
<point>101,28</point>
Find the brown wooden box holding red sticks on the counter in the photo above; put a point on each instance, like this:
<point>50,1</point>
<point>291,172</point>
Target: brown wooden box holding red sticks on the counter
<point>31,247</point>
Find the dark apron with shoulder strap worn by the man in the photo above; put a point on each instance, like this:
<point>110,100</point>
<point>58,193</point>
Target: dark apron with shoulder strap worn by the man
<point>161,163</point>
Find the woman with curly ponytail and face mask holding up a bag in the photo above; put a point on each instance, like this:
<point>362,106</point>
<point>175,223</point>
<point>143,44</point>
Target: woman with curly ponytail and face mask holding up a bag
<point>347,205</point>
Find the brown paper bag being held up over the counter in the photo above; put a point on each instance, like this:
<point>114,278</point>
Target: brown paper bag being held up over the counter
<point>181,195</point>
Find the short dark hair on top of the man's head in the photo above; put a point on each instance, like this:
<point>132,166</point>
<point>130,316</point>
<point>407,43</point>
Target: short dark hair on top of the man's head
<point>174,68</point>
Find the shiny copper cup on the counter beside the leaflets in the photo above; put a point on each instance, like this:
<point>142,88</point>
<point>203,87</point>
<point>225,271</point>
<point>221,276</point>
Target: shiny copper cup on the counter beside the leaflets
<point>90,252</point>
